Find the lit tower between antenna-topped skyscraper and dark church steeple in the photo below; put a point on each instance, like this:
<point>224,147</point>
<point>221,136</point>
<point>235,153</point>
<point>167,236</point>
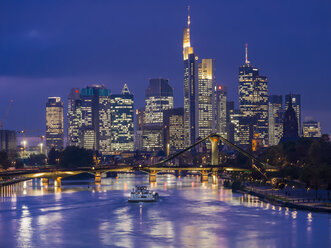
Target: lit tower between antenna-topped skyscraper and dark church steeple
<point>275,116</point>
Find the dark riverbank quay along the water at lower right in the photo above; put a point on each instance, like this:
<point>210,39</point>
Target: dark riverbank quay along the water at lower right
<point>289,199</point>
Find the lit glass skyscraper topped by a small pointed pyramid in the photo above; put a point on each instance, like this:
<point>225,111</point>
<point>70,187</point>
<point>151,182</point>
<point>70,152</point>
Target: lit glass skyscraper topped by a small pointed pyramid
<point>122,128</point>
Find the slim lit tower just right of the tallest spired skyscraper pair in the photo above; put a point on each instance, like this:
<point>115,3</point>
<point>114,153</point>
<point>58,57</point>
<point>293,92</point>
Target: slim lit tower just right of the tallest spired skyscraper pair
<point>220,115</point>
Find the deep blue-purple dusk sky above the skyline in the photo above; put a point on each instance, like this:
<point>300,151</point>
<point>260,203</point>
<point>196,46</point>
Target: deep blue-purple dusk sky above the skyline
<point>48,47</point>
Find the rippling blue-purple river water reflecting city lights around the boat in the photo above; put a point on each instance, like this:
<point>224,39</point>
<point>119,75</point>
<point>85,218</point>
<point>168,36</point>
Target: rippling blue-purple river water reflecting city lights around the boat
<point>189,214</point>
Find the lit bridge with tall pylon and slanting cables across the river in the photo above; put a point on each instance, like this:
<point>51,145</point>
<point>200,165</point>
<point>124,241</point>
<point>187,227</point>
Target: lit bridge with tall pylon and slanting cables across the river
<point>214,168</point>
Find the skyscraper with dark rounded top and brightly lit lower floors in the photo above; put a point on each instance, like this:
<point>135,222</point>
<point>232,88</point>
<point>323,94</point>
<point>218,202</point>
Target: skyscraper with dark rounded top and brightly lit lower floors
<point>159,96</point>
